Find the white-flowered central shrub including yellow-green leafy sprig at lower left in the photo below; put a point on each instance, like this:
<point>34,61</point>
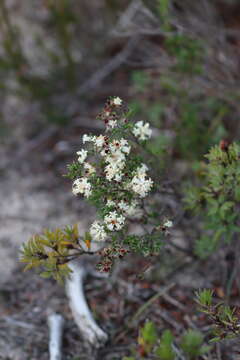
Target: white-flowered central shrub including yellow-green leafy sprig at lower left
<point>111,174</point>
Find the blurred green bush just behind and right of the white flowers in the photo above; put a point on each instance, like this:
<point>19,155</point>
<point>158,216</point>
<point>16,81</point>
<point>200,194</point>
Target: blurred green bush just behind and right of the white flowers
<point>198,123</point>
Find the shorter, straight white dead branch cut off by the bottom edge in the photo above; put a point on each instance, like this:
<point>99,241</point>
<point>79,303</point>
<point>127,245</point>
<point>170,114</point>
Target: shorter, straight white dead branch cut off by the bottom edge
<point>55,323</point>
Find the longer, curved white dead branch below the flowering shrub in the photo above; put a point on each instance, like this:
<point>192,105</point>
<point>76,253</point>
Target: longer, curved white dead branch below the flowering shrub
<point>82,315</point>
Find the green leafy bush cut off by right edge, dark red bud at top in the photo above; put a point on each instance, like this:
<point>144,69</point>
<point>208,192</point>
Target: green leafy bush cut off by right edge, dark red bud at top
<point>216,197</point>
